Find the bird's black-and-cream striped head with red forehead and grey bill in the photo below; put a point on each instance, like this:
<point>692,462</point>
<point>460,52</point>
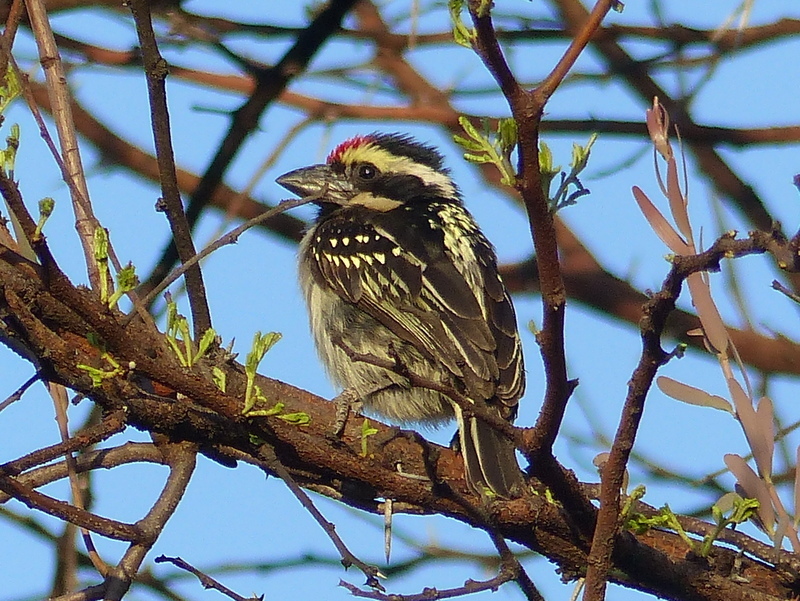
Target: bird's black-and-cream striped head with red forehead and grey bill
<point>378,171</point>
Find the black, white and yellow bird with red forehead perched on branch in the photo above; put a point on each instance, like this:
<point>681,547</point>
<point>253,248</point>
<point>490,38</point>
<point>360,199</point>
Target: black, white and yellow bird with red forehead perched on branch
<point>395,266</point>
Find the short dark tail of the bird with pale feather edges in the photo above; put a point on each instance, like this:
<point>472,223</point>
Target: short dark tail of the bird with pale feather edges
<point>490,460</point>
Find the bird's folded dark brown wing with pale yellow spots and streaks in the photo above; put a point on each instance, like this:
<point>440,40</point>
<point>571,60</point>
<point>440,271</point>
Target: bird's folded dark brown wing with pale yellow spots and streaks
<point>453,309</point>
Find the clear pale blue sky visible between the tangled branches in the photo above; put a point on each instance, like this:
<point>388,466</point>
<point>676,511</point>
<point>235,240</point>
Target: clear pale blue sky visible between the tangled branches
<point>237,516</point>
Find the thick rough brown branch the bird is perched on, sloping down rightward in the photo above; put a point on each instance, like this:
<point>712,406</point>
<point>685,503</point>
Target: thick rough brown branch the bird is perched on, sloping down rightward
<point>213,419</point>
